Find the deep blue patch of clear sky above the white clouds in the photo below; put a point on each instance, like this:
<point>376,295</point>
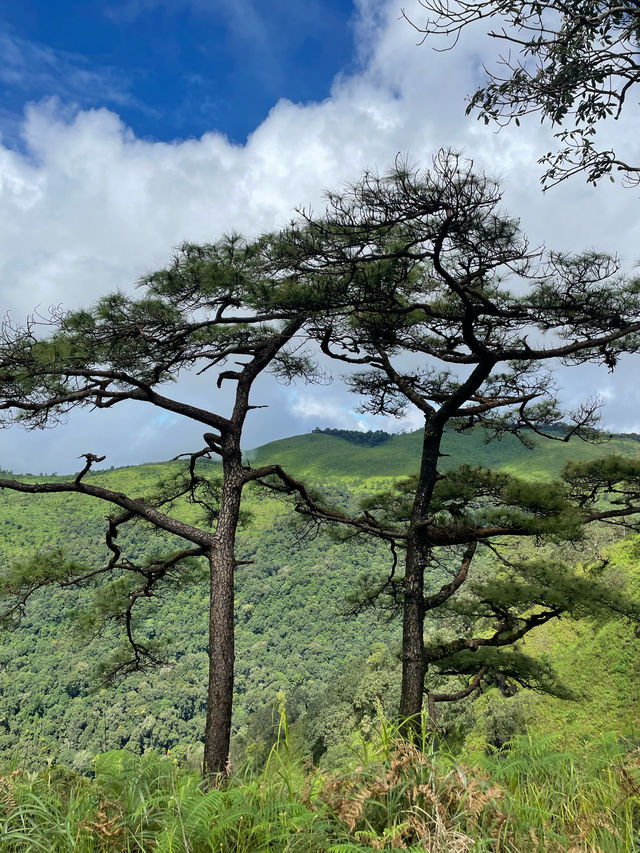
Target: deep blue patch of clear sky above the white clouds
<point>173,68</point>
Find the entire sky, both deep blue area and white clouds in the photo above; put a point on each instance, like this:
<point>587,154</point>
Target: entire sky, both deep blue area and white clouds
<point>129,126</point>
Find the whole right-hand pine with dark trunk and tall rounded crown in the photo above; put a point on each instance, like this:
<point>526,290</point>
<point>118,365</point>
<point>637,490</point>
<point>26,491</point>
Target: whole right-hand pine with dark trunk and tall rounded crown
<point>436,302</point>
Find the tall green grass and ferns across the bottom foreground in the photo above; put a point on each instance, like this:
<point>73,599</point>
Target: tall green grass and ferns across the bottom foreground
<point>393,795</point>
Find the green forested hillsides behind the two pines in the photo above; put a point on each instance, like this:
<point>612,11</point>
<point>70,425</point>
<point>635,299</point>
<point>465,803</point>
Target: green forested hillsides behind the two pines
<point>294,634</point>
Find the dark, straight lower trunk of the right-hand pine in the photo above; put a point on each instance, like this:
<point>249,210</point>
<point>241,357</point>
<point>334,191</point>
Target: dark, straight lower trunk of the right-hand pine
<point>414,667</point>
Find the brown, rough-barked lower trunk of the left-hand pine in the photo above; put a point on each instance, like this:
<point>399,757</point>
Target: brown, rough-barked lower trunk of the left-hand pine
<point>222,562</point>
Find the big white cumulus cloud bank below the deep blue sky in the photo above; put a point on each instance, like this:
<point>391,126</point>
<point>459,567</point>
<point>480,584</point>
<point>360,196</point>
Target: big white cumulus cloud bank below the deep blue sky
<point>86,207</point>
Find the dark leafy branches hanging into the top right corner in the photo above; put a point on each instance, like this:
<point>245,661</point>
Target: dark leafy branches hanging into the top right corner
<point>574,63</point>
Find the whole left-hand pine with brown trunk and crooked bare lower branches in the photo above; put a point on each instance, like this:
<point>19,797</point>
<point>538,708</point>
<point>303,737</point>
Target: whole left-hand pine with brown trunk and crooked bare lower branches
<point>209,311</point>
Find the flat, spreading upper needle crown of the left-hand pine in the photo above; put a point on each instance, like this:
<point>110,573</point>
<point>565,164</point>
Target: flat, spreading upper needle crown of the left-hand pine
<point>208,310</point>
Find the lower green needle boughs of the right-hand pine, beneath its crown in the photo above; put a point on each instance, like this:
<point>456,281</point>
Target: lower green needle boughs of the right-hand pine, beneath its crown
<point>474,618</point>
